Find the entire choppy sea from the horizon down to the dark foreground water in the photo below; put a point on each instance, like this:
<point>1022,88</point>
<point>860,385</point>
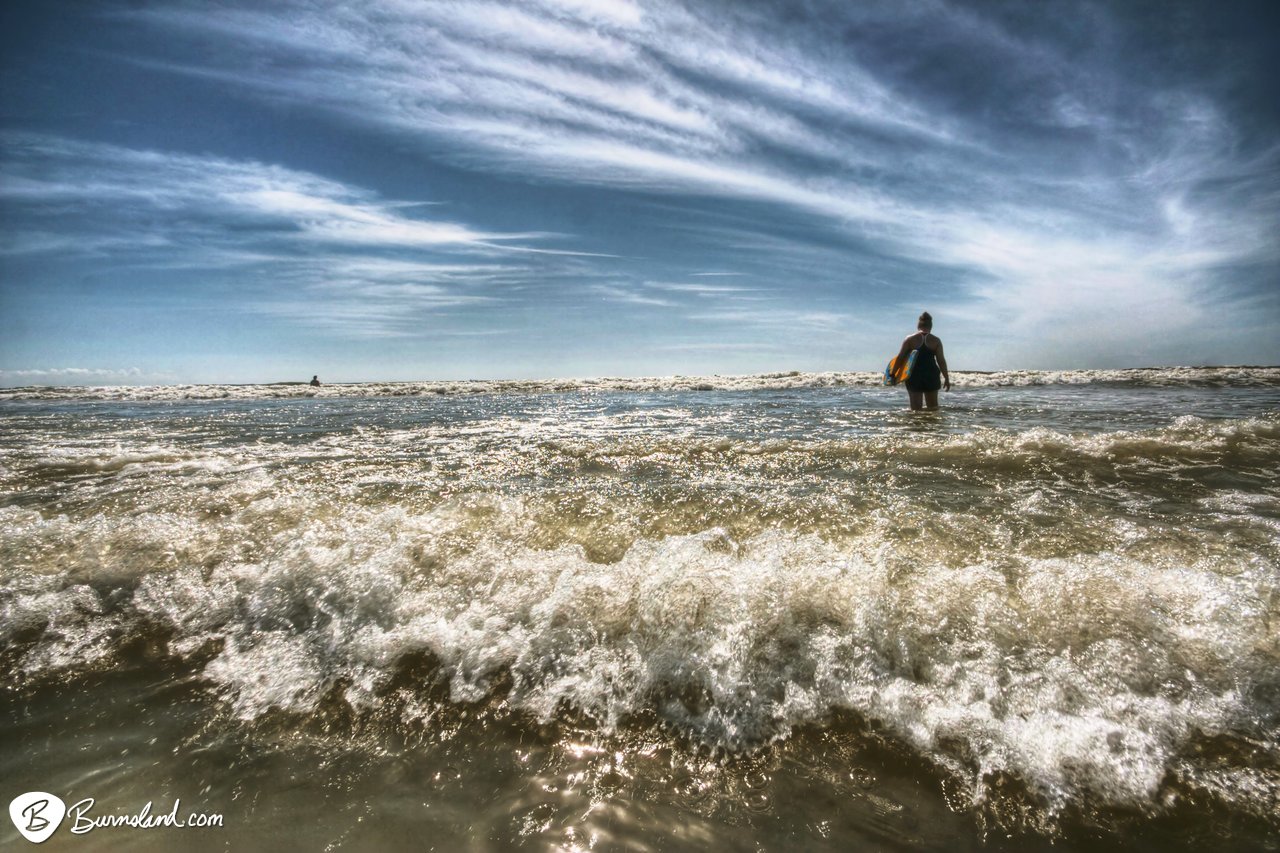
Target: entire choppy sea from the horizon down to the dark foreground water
<point>732,613</point>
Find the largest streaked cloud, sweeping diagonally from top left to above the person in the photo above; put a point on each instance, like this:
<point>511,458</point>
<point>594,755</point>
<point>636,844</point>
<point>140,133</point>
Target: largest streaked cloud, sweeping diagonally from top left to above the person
<point>1058,170</point>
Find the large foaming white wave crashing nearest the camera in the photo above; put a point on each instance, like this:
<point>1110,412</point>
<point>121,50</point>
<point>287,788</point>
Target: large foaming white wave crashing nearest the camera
<point>1089,677</point>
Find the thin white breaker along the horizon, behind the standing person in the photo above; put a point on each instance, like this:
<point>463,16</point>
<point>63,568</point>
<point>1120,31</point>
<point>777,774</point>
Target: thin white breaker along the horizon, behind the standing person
<point>1173,377</point>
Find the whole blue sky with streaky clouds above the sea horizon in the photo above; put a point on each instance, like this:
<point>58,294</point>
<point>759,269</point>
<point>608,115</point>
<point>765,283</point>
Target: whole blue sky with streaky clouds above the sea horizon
<point>468,189</point>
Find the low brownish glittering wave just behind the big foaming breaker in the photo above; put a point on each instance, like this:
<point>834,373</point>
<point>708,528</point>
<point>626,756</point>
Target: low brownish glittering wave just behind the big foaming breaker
<point>610,480</point>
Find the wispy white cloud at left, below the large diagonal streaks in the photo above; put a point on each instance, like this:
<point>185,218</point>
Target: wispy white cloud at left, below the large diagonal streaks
<point>354,263</point>
